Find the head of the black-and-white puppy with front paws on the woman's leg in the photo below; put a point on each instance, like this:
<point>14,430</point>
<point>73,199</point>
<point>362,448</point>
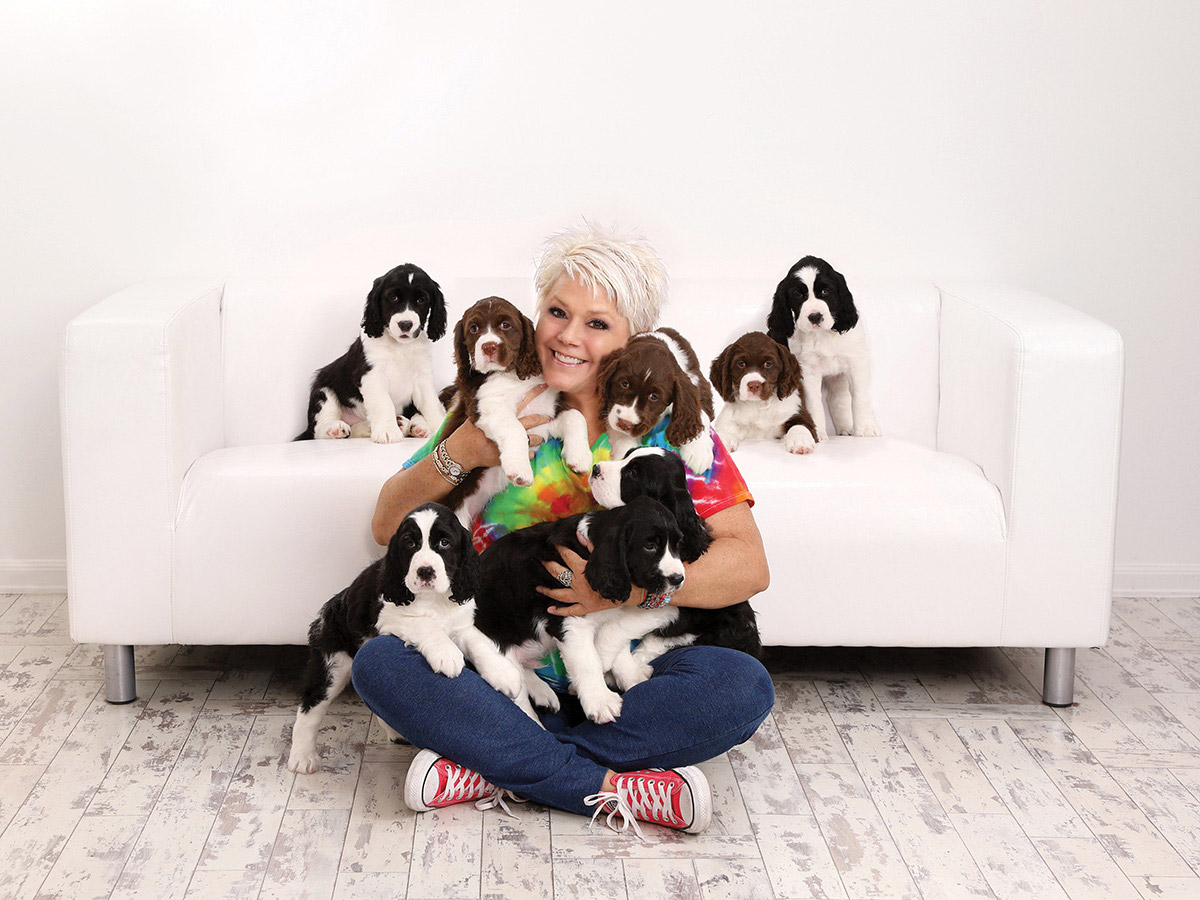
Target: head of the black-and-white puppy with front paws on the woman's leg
<point>430,554</point>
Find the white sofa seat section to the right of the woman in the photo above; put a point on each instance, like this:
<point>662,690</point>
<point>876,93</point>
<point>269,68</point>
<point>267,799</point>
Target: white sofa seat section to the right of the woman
<point>877,542</point>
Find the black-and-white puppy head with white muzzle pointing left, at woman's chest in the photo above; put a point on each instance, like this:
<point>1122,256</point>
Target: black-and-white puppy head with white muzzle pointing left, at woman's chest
<point>659,475</point>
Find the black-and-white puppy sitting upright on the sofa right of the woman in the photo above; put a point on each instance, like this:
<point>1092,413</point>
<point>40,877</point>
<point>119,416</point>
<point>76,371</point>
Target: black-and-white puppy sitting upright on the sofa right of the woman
<point>814,316</point>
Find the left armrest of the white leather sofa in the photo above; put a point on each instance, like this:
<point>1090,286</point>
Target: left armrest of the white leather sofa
<point>141,399</point>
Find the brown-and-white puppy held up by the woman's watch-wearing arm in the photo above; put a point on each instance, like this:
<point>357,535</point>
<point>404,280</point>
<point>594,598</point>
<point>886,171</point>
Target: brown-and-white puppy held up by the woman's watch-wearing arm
<point>494,349</point>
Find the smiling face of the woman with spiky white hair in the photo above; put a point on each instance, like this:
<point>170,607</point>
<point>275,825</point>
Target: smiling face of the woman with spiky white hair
<point>575,332</point>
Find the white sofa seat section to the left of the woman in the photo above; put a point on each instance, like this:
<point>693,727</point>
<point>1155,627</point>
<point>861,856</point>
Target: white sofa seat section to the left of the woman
<point>251,521</point>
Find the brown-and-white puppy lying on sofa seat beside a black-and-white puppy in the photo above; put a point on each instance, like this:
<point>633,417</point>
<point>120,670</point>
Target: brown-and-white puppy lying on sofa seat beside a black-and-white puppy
<point>760,382</point>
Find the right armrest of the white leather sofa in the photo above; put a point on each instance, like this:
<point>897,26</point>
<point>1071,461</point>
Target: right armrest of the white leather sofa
<point>1031,392</point>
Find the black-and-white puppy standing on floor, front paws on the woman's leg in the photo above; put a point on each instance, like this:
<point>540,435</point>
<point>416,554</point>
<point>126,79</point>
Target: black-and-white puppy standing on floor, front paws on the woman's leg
<point>422,591</point>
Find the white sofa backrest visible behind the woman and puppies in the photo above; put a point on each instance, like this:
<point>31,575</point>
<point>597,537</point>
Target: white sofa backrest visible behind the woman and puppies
<point>278,334</point>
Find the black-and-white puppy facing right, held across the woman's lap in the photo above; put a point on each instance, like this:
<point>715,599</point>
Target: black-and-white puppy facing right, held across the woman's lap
<point>638,545</point>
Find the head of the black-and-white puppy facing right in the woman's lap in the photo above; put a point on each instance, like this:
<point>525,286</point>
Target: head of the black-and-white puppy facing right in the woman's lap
<point>637,545</point>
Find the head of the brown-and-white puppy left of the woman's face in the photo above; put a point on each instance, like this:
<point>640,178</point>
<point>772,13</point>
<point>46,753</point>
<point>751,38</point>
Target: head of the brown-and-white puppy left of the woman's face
<point>495,337</point>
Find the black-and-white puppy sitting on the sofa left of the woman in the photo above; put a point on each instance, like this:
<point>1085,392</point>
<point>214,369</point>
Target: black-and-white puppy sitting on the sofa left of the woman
<point>388,371</point>
